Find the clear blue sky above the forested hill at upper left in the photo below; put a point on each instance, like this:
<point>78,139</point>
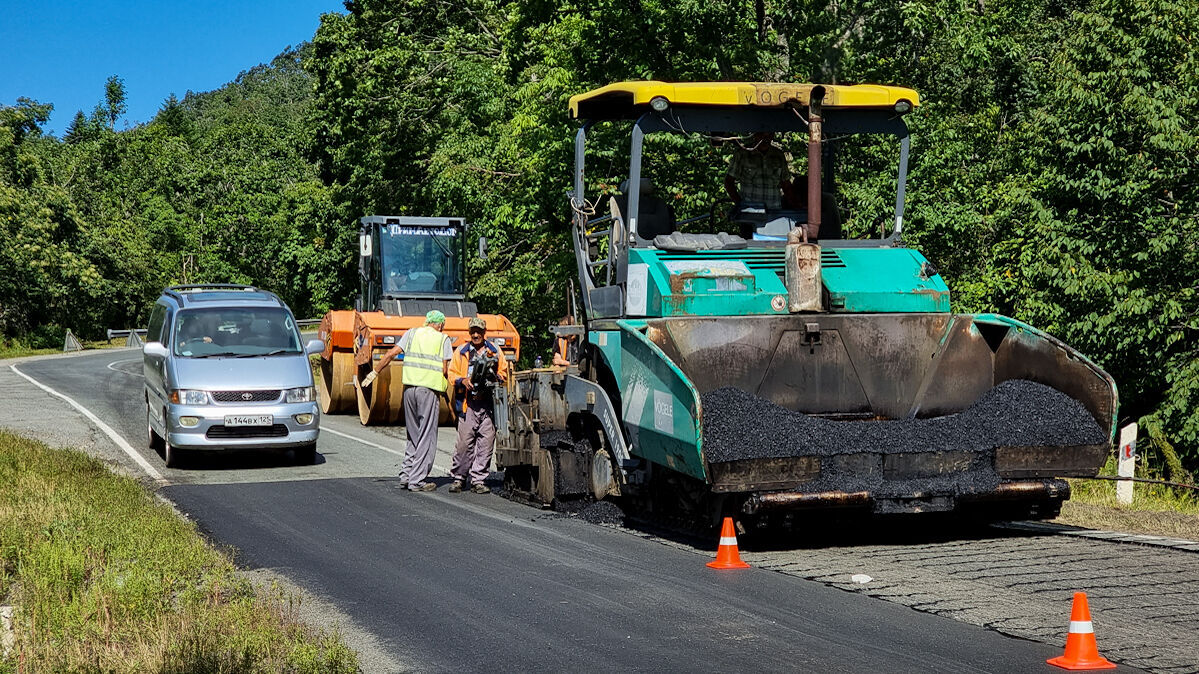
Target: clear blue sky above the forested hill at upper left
<point>62,53</point>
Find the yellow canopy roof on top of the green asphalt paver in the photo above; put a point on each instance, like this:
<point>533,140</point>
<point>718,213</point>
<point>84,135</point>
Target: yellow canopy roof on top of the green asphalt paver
<point>622,100</point>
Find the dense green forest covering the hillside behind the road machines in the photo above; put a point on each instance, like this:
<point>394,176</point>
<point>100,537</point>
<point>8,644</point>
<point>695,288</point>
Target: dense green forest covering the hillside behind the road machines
<point>1053,180</point>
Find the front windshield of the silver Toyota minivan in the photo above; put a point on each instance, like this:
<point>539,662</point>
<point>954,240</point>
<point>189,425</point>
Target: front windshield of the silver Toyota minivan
<point>236,333</point>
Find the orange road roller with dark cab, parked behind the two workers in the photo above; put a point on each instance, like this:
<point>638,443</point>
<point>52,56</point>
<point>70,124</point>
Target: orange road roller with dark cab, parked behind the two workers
<point>407,268</point>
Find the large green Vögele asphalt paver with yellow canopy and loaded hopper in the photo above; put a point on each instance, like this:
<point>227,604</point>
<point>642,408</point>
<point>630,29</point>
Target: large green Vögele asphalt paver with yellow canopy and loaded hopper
<point>774,362</point>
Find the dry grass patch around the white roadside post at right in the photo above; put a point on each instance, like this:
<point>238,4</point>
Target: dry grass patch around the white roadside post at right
<point>1156,509</point>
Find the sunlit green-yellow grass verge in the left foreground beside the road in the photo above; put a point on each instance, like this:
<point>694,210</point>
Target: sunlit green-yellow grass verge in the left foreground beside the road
<point>106,579</point>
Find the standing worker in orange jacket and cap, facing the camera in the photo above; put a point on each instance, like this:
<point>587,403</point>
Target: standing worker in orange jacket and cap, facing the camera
<point>477,369</point>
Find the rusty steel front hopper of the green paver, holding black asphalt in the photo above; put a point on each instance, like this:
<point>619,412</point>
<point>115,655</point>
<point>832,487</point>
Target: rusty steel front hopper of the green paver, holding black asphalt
<point>881,368</point>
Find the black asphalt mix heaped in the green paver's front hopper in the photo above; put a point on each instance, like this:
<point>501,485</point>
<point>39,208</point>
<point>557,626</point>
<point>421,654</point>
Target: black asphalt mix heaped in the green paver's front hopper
<point>1017,413</point>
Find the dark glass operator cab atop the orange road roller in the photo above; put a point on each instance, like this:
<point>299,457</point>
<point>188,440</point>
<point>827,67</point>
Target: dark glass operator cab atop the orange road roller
<point>419,260</point>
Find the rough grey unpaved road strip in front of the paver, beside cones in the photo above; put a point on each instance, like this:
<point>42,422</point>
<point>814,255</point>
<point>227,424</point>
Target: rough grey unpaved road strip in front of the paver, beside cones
<point>1144,601</point>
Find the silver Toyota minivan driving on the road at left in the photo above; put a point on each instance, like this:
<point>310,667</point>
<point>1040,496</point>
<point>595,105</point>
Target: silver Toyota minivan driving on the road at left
<point>226,370</point>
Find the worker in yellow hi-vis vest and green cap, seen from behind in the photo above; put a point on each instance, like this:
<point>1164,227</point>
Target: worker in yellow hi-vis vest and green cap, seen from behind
<point>427,354</point>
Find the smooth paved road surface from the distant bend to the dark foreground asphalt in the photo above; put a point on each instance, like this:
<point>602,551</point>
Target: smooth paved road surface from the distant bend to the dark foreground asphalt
<point>480,583</point>
